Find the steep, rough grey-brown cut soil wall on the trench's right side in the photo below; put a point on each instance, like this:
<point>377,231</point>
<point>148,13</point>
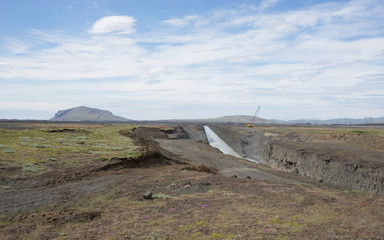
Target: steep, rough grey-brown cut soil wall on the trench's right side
<point>324,165</point>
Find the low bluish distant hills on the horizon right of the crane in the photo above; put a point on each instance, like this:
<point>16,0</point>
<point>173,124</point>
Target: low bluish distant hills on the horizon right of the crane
<point>335,121</point>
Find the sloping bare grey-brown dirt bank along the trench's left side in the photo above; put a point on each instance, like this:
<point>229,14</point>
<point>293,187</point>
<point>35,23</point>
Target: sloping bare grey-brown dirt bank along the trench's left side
<point>193,149</point>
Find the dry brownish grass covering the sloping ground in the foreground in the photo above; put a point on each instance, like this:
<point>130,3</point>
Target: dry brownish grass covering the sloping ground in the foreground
<point>253,210</point>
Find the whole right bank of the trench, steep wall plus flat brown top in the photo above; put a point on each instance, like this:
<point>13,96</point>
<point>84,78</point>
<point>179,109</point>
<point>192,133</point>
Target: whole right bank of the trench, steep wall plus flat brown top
<point>348,158</point>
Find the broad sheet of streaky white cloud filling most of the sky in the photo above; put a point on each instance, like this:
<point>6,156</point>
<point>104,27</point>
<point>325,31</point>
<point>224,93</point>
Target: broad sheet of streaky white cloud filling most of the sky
<point>281,60</point>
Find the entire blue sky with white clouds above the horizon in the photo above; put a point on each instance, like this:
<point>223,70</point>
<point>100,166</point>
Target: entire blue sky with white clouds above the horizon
<point>183,59</point>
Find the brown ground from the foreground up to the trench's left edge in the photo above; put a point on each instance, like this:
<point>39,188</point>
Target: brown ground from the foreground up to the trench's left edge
<point>105,202</point>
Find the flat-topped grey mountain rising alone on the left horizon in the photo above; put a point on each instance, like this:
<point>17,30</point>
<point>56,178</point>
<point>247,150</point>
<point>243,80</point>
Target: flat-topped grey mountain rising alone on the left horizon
<point>87,114</point>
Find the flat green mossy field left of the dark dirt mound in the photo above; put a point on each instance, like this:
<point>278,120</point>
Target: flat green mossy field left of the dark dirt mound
<point>34,149</point>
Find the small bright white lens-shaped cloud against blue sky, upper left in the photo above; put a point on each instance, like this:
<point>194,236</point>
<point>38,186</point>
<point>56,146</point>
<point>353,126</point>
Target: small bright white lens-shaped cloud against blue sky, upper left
<point>120,24</point>
